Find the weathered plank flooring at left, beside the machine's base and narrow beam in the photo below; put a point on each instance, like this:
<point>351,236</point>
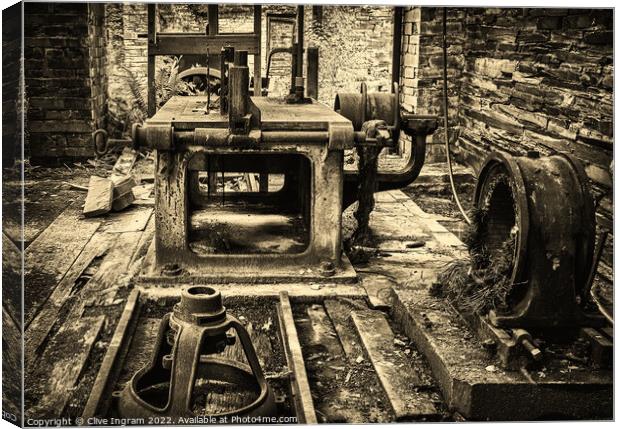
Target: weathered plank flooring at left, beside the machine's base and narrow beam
<point>83,269</point>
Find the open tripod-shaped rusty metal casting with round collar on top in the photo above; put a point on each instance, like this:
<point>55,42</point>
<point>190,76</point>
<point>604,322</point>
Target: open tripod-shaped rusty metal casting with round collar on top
<point>188,340</point>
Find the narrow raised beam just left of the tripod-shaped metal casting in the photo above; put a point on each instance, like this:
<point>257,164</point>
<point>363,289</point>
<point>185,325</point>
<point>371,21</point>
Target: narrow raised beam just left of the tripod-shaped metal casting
<point>110,361</point>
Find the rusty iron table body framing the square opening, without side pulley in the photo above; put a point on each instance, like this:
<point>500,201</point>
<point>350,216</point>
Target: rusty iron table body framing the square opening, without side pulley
<point>185,131</point>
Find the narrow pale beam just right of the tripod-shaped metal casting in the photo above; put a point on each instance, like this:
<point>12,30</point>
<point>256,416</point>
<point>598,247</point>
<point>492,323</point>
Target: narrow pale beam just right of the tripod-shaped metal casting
<point>301,395</point>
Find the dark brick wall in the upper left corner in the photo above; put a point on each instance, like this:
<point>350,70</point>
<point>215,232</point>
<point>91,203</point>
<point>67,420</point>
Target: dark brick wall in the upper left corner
<point>65,80</point>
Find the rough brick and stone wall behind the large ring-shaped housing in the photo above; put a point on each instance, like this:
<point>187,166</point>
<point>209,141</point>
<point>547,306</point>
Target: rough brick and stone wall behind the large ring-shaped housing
<point>520,79</point>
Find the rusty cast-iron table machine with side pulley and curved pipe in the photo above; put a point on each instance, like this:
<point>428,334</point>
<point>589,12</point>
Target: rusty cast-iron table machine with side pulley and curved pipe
<point>207,234</point>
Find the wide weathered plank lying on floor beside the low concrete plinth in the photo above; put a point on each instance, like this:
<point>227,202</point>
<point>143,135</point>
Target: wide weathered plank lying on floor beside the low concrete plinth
<point>398,378</point>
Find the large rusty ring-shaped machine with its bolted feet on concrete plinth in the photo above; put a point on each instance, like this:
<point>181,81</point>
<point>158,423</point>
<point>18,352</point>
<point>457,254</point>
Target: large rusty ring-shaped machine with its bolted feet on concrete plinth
<point>543,205</point>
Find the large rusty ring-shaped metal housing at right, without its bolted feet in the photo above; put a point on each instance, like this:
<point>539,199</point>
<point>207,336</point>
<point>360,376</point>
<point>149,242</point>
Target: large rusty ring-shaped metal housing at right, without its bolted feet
<point>546,204</point>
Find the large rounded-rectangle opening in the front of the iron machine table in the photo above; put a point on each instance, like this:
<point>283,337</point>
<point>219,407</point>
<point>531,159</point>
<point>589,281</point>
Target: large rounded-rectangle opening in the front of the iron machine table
<point>225,219</point>
